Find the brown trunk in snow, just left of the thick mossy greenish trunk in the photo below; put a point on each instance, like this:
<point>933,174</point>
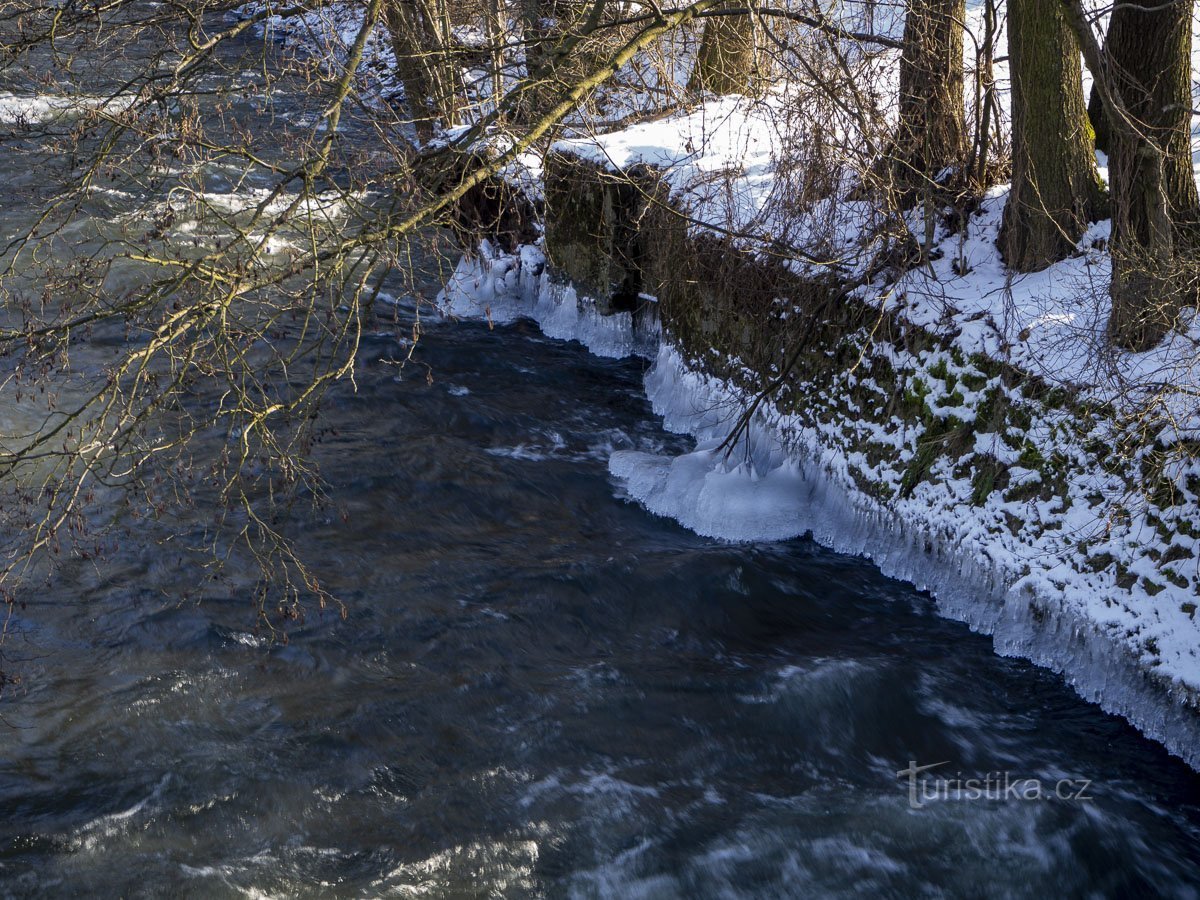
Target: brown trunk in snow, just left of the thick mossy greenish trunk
<point>932,134</point>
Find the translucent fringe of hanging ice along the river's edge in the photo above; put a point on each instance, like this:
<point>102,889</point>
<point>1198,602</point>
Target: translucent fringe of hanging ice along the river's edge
<point>783,483</point>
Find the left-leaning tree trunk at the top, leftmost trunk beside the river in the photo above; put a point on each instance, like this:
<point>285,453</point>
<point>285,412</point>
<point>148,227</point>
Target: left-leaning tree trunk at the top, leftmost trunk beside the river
<point>425,63</point>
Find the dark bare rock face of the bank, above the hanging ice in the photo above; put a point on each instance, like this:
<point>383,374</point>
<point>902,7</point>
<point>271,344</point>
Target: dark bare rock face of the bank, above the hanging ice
<point>617,237</point>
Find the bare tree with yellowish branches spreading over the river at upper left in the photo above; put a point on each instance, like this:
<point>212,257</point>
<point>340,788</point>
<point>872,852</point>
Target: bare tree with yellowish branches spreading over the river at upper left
<point>181,353</point>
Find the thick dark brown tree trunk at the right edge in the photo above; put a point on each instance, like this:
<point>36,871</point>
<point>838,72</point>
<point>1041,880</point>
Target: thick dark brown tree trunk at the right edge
<point>1156,208</point>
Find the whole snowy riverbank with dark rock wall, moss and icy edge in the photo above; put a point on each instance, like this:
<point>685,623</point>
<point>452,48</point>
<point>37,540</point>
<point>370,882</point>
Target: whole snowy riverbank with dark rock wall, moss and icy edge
<point>955,424</point>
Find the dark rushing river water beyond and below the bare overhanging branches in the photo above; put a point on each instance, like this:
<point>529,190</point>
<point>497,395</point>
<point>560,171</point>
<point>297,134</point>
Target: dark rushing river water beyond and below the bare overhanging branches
<point>543,691</point>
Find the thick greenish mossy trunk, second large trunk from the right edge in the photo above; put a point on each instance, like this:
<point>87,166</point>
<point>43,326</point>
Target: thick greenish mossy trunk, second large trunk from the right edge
<point>1055,184</point>
